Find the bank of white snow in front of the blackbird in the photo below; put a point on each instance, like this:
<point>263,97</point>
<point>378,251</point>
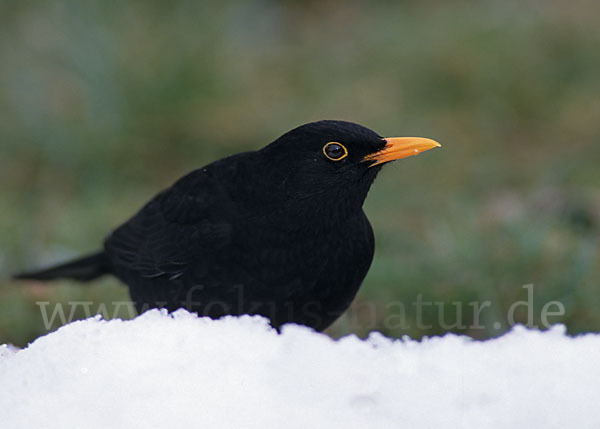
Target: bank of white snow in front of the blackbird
<point>179,370</point>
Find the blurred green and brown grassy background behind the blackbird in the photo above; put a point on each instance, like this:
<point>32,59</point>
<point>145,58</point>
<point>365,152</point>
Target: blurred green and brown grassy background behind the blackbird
<point>104,103</point>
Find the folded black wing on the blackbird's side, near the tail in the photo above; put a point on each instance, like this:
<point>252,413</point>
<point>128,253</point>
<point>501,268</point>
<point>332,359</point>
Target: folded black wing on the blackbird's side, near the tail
<point>182,226</point>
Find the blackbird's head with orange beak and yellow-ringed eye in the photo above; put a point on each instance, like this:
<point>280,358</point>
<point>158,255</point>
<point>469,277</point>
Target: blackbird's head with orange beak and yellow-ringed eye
<point>335,161</point>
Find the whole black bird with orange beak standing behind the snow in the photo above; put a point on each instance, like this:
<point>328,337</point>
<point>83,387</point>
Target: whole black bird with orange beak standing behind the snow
<point>278,232</point>
